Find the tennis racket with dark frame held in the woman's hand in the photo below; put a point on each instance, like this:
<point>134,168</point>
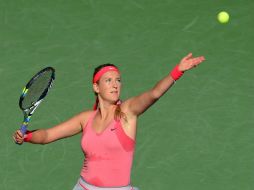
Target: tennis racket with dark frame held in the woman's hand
<point>33,94</point>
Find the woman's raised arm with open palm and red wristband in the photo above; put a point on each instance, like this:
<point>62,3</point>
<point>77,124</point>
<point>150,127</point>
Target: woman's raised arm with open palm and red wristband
<point>138,104</point>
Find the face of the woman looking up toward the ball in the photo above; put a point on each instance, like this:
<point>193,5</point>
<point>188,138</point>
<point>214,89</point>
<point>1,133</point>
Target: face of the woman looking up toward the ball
<point>109,86</point>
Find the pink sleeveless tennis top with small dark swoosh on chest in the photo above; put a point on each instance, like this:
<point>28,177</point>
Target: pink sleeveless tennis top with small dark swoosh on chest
<point>109,155</point>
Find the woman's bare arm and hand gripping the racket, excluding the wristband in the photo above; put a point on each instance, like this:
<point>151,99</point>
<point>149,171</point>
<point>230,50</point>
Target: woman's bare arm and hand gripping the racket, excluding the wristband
<point>68,128</point>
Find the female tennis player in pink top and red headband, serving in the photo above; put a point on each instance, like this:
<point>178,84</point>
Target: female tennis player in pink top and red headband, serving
<point>109,130</point>
